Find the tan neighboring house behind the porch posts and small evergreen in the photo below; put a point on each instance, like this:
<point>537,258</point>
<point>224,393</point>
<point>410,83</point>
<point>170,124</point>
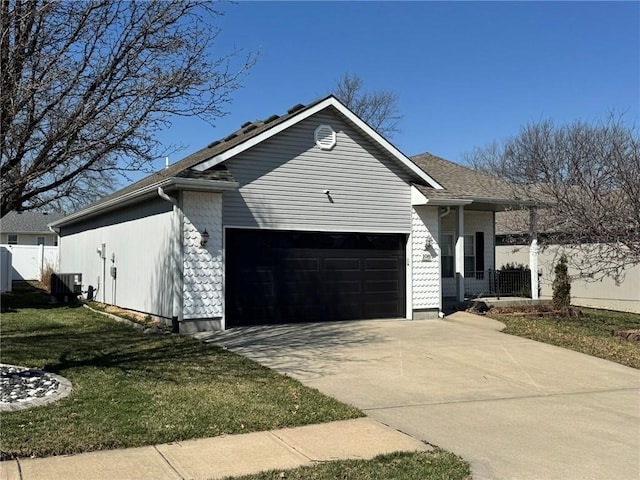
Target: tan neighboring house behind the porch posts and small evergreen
<point>512,246</point>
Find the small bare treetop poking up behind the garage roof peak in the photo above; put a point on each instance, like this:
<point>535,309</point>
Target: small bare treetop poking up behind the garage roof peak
<point>379,109</point>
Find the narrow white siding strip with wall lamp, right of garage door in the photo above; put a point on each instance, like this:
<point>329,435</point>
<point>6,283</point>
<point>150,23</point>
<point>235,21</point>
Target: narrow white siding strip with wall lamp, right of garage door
<point>426,271</point>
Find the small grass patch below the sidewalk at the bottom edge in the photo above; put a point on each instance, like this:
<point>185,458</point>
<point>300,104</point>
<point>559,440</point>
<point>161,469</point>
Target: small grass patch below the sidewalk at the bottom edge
<point>435,465</point>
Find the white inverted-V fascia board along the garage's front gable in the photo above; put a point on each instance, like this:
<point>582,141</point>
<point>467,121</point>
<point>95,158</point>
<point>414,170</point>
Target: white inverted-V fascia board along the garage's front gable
<point>329,102</point>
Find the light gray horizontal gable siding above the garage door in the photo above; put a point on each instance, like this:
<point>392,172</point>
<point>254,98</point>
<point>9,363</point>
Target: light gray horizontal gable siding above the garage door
<point>282,184</point>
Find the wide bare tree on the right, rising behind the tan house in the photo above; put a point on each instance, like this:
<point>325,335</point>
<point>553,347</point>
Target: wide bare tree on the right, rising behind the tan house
<point>586,178</point>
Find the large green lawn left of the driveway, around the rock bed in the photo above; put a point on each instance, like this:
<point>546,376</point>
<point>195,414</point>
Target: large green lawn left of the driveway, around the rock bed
<point>131,389</point>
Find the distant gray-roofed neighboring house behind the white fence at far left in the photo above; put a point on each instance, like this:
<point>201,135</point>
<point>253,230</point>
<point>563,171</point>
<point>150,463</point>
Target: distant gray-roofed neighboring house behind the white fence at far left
<point>28,228</point>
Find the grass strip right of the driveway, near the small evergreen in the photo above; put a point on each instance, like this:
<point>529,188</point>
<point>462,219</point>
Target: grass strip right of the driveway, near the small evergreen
<point>590,333</point>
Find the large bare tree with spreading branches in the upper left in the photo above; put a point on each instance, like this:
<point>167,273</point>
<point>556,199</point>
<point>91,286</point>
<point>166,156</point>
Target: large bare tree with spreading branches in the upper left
<point>85,85</point>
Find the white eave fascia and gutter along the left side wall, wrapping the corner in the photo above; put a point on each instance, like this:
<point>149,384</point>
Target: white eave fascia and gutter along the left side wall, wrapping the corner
<point>168,184</point>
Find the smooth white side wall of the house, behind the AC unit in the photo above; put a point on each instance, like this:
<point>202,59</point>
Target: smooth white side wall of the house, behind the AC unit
<point>139,239</point>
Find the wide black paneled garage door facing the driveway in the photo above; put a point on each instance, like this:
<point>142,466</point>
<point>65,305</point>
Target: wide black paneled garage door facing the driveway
<point>287,277</point>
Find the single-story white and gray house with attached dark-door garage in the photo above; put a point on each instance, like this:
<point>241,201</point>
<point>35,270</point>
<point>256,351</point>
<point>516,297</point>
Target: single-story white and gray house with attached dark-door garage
<point>308,216</point>
